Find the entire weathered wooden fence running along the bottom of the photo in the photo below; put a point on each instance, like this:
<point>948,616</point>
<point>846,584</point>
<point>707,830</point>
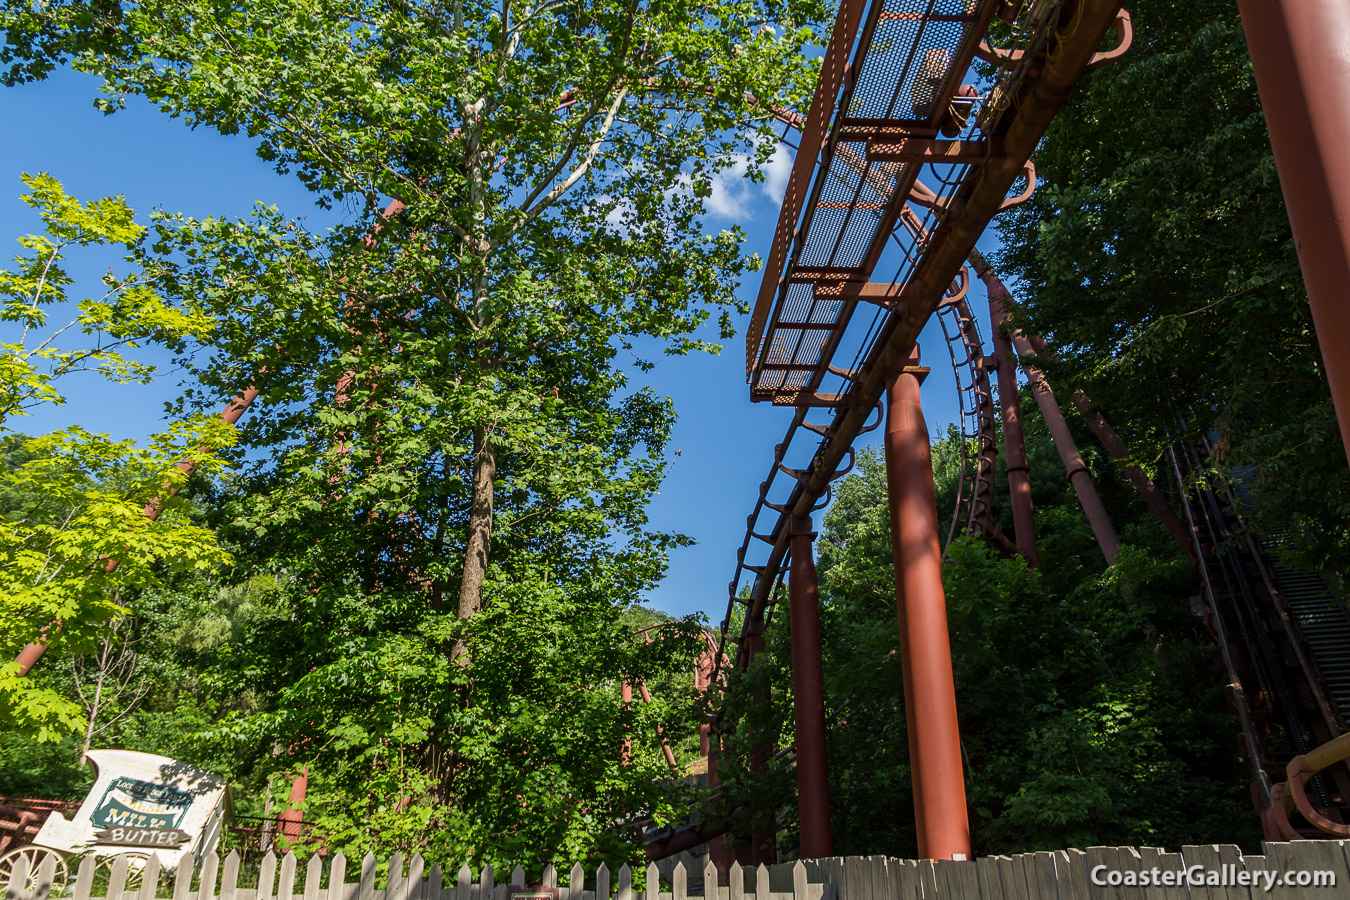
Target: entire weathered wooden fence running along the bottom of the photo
<point>1064,875</point>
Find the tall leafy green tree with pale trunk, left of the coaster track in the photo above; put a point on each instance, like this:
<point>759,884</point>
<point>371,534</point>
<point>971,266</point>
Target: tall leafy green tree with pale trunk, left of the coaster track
<point>453,463</point>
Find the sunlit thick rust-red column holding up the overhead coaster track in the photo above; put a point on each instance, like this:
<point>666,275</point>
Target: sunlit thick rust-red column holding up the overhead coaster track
<point>925,647</point>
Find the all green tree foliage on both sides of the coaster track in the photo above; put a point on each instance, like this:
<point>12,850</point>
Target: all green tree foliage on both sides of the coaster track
<point>437,520</point>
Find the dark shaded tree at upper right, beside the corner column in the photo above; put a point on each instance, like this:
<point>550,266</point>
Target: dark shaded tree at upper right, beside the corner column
<point>1158,260</point>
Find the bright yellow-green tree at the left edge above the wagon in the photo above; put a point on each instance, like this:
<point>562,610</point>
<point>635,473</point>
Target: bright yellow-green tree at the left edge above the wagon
<point>76,539</point>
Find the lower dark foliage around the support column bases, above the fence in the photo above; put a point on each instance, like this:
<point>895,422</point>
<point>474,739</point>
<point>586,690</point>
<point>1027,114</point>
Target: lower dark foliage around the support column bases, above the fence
<point>1091,701</point>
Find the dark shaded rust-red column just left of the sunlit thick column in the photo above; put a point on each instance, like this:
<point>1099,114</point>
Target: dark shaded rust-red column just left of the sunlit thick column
<point>813,774</point>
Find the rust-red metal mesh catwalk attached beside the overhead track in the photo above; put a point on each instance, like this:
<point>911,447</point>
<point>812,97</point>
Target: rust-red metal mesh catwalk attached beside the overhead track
<point>880,132</point>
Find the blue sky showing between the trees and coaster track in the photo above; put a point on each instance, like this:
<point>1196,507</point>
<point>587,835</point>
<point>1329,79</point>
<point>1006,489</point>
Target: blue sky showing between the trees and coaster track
<point>726,443</point>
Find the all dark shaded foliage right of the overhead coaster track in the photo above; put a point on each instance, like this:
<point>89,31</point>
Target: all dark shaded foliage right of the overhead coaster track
<point>1158,261</point>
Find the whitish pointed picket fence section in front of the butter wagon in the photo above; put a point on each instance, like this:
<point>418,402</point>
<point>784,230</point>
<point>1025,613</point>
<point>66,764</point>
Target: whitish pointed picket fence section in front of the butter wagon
<point>134,879</point>
